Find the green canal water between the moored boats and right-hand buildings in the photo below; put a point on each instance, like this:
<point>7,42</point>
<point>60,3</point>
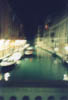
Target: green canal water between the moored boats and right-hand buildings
<point>42,66</point>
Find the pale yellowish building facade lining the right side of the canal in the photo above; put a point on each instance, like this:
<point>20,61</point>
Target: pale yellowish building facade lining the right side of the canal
<point>55,34</point>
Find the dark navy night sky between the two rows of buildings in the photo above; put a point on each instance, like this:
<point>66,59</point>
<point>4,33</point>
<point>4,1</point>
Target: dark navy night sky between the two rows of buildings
<point>34,12</point>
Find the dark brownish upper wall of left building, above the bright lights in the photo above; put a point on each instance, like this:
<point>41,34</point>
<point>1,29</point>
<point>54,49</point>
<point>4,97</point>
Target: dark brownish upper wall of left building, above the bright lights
<point>9,22</point>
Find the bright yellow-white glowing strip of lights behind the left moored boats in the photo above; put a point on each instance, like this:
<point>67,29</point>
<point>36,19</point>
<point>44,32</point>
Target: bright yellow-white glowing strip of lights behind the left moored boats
<point>11,46</point>
